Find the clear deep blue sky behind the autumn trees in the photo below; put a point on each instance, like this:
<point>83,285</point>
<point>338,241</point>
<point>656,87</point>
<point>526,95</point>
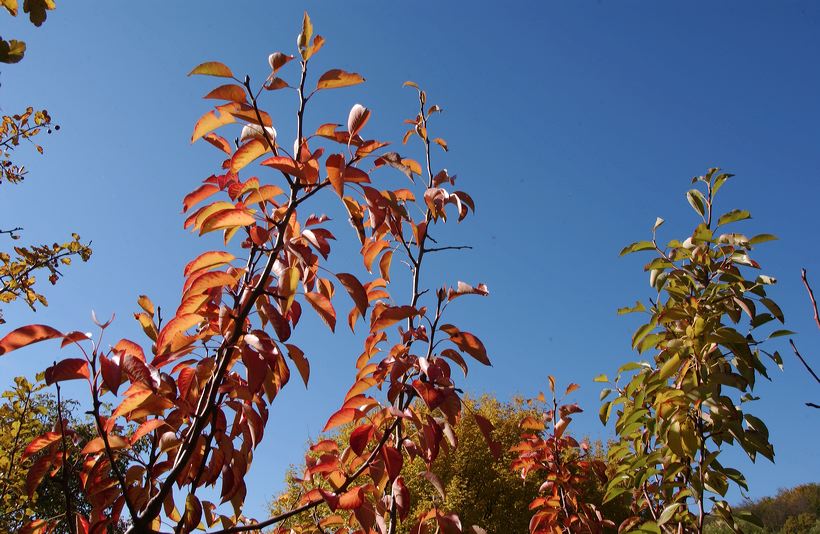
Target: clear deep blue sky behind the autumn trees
<point>573,125</point>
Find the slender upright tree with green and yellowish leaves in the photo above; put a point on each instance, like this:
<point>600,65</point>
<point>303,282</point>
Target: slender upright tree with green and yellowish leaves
<point>675,414</point>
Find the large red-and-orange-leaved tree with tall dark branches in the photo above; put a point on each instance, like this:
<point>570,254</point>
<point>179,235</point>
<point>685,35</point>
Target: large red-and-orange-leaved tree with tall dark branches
<point>199,387</point>
